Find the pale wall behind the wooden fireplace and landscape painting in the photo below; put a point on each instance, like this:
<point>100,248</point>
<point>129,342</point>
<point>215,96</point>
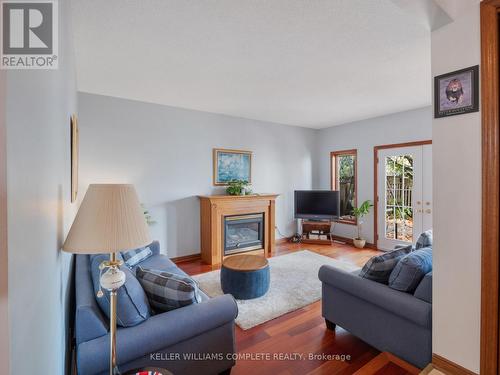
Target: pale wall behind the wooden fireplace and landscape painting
<point>167,153</point>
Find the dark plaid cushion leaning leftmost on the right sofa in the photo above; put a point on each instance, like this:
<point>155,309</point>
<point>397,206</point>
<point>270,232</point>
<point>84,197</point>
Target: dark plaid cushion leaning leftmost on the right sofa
<point>379,267</point>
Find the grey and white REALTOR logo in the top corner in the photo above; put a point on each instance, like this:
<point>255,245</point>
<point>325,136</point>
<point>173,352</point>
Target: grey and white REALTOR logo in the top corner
<point>29,34</point>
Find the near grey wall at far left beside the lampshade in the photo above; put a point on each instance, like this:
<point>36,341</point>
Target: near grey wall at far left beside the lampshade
<point>39,105</point>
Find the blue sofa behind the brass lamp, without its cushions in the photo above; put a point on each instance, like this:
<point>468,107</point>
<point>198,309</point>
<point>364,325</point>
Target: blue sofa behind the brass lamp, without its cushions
<point>203,330</point>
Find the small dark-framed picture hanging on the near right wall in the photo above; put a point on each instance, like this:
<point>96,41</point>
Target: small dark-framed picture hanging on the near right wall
<point>457,92</point>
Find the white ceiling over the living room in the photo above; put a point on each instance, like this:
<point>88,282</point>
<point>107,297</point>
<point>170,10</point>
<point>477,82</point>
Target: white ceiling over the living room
<point>312,63</point>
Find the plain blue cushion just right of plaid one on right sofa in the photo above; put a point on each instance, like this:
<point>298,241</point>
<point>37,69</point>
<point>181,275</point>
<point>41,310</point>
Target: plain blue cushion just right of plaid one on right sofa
<point>411,269</point>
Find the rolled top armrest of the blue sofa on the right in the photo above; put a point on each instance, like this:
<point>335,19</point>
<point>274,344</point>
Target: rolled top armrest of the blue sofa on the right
<point>398,303</point>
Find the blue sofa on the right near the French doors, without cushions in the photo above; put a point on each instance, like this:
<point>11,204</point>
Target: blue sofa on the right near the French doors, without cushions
<point>387,319</point>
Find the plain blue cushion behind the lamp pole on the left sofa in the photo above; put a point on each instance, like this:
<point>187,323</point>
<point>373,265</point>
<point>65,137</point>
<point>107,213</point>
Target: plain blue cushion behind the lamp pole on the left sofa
<point>132,302</point>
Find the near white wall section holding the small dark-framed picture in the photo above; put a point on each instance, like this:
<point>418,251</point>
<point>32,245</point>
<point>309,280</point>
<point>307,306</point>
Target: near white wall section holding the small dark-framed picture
<point>457,199</point>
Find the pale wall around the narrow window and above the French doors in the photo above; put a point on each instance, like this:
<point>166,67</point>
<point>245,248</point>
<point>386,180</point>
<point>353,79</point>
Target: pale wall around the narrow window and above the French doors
<point>415,125</point>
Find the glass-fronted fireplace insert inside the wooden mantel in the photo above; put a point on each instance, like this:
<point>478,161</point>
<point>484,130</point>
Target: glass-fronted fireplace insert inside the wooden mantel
<point>243,233</point>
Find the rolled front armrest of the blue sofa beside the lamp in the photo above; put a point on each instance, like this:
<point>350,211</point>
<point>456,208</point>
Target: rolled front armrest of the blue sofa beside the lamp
<point>159,331</point>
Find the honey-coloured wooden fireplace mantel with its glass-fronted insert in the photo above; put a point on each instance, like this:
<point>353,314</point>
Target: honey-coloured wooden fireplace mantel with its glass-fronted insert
<point>234,224</point>
